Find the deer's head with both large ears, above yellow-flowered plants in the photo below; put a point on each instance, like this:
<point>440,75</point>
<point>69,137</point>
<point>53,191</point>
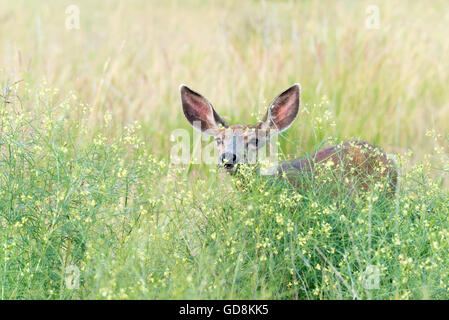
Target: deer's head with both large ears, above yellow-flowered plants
<point>240,143</point>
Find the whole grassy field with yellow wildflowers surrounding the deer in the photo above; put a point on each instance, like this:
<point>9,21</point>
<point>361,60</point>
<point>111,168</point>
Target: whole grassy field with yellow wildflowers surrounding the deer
<point>91,206</point>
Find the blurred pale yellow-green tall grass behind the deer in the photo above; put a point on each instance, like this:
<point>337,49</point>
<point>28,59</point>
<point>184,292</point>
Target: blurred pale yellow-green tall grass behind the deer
<point>372,70</point>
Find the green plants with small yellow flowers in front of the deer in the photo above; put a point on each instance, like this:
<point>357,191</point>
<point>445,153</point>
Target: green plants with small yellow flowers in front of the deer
<point>137,227</point>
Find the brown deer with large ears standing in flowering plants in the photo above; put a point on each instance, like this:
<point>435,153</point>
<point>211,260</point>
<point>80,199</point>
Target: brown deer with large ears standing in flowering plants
<point>360,164</point>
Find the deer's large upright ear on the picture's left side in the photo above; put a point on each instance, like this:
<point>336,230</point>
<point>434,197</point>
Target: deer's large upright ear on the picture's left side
<point>199,112</point>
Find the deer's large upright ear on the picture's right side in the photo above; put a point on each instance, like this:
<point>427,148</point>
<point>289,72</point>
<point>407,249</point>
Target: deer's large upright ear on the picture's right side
<point>283,110</point>
